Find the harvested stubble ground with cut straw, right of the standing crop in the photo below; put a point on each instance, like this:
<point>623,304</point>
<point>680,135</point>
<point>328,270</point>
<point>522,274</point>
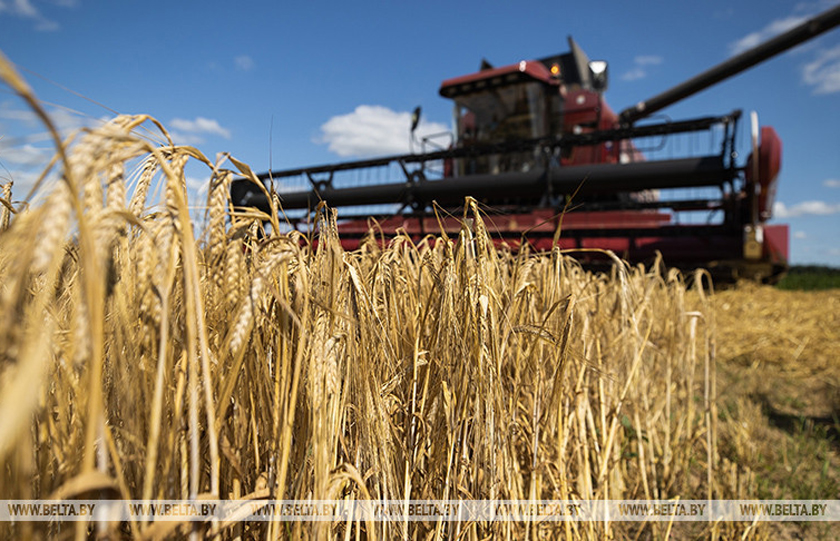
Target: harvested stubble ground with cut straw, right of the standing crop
<point>779,394</point>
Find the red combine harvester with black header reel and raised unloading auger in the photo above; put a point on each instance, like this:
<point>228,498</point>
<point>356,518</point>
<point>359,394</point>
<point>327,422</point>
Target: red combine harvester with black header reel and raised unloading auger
<point>537,144</point>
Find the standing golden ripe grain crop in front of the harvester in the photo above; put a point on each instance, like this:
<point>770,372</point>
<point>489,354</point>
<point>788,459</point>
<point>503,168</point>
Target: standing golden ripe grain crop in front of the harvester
<point>145,355</point>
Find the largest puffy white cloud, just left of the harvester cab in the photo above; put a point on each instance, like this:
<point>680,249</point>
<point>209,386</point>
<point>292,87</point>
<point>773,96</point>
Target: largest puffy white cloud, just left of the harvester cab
<point>373,130</point>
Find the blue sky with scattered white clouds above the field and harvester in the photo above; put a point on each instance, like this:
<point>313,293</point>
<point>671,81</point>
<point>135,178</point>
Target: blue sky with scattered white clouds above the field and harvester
<point>292,84</point>
